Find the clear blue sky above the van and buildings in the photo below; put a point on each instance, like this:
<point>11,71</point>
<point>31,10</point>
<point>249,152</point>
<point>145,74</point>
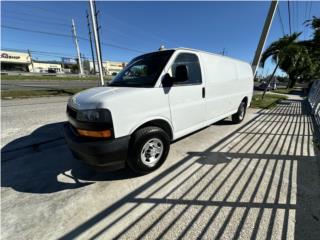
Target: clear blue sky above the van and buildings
<point>143,26</point>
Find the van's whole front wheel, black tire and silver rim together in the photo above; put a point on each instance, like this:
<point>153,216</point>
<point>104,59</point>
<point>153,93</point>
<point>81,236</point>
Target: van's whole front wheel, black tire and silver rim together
<point>148,149</point>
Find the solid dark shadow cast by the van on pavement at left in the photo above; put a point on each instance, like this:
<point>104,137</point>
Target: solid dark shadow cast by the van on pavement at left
<point>42,163</point>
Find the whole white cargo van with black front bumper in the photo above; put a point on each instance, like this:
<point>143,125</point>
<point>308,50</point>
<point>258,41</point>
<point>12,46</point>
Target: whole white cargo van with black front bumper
<point>157,98</point>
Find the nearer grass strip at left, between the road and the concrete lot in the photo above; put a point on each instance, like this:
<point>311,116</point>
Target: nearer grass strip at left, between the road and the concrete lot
<point>10,94</point>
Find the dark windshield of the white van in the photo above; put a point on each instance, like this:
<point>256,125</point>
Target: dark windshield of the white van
<point>143,71</point>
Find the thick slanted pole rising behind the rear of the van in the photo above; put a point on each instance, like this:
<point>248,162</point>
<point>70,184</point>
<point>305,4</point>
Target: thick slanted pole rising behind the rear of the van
<point>264,35</point>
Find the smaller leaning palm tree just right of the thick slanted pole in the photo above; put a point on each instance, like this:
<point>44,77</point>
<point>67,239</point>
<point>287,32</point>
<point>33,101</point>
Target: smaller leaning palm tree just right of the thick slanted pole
<point>277,49</point>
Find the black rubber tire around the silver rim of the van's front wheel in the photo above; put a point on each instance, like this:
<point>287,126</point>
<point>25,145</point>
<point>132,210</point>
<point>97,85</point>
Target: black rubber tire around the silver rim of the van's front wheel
<point>139,139</point>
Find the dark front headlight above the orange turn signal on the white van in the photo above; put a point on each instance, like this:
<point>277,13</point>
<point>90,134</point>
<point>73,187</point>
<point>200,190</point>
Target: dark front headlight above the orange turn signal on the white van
<point>94,115</point>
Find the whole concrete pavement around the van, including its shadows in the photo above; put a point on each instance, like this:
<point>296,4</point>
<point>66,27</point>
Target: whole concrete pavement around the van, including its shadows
<point>258,180</point>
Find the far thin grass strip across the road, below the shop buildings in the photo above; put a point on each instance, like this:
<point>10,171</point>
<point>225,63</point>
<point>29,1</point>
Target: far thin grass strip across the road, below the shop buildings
<point>48,77</point>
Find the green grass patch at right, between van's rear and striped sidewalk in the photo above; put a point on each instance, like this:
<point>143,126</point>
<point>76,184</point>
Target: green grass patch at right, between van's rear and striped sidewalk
<point>269,101</point>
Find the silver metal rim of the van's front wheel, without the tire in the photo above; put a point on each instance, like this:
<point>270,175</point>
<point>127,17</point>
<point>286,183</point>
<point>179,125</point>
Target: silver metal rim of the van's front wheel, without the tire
<point>151,152</point>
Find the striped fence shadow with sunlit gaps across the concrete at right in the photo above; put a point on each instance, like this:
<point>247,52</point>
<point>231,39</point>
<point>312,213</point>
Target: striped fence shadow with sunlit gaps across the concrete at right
<point>259,182</point>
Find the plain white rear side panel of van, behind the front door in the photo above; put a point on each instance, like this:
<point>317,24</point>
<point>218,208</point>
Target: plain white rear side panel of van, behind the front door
<point>225,87</point>
